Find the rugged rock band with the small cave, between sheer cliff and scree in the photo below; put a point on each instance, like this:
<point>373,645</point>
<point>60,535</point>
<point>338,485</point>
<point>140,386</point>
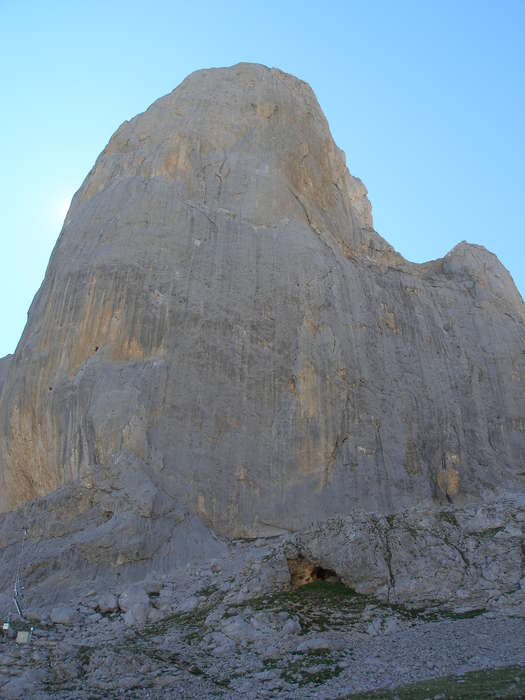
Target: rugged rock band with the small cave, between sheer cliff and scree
<point>81,539</point>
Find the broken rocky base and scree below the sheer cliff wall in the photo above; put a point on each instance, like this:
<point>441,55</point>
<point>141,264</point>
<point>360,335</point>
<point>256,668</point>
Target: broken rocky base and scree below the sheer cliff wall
<point>390,600</point>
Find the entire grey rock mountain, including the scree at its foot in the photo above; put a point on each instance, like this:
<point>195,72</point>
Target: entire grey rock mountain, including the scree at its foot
<point>252,448</point>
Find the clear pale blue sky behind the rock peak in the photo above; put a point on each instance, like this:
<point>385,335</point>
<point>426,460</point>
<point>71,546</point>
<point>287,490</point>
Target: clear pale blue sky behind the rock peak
<point>427,99</point>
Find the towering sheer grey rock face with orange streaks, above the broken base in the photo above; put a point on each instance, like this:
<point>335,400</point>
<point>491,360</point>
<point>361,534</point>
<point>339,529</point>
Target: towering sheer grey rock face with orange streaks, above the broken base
<point>219,314</point>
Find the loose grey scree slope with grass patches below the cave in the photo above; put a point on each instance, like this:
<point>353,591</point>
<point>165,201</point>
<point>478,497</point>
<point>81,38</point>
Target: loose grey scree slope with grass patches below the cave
<point>319,641</point>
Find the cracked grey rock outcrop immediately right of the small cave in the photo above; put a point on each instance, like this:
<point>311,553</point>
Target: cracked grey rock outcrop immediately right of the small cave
<point>420,557</point>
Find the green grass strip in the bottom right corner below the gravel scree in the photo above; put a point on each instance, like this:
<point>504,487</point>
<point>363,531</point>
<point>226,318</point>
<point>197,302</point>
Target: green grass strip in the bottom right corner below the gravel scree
<point>508,682</point>
